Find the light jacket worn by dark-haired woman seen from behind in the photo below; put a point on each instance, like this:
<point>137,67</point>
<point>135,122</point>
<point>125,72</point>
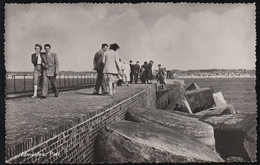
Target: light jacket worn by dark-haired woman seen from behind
<point>111,61</point>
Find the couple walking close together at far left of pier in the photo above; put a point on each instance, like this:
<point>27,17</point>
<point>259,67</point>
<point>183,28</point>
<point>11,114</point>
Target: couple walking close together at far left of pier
<point>46,67</point>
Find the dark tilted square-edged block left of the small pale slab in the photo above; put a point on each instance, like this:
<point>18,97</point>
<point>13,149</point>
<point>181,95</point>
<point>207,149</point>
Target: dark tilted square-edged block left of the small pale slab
<point>200,99</point>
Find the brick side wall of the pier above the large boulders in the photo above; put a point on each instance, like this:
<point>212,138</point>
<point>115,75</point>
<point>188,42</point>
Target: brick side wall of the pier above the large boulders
<point>76,144</point>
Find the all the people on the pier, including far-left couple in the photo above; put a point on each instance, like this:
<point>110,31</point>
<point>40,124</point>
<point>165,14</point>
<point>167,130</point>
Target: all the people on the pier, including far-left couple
<point>110,70</point>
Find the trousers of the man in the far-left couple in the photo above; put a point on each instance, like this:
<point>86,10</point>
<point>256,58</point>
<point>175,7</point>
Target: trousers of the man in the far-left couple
<point>45,85</point>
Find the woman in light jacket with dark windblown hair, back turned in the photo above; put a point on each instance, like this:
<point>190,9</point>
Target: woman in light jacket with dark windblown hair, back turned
<point>112,68</point>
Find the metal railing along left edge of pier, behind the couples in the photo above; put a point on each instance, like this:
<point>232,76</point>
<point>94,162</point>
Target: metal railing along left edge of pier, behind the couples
<point>23,83</point>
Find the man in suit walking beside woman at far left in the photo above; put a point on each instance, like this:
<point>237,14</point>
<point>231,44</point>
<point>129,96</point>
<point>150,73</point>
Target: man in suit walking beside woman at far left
<point>50,72</point>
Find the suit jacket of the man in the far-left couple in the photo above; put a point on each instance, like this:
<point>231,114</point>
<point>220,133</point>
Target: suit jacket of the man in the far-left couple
<point>53,65</point>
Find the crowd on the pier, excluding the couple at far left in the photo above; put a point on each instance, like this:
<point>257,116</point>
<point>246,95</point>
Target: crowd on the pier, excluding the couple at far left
<point>112,70</point>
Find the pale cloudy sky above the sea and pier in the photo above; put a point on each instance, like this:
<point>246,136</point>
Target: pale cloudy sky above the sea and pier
<point>178,36</point>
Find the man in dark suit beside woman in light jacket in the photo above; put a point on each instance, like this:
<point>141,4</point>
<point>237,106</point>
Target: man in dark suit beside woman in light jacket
<point>99,66</point>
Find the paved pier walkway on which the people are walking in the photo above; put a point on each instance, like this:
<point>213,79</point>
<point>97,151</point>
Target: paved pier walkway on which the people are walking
<point>26,117</point>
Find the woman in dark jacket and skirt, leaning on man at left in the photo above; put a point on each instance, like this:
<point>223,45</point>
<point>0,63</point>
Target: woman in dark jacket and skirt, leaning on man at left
<point>39,61</point>
